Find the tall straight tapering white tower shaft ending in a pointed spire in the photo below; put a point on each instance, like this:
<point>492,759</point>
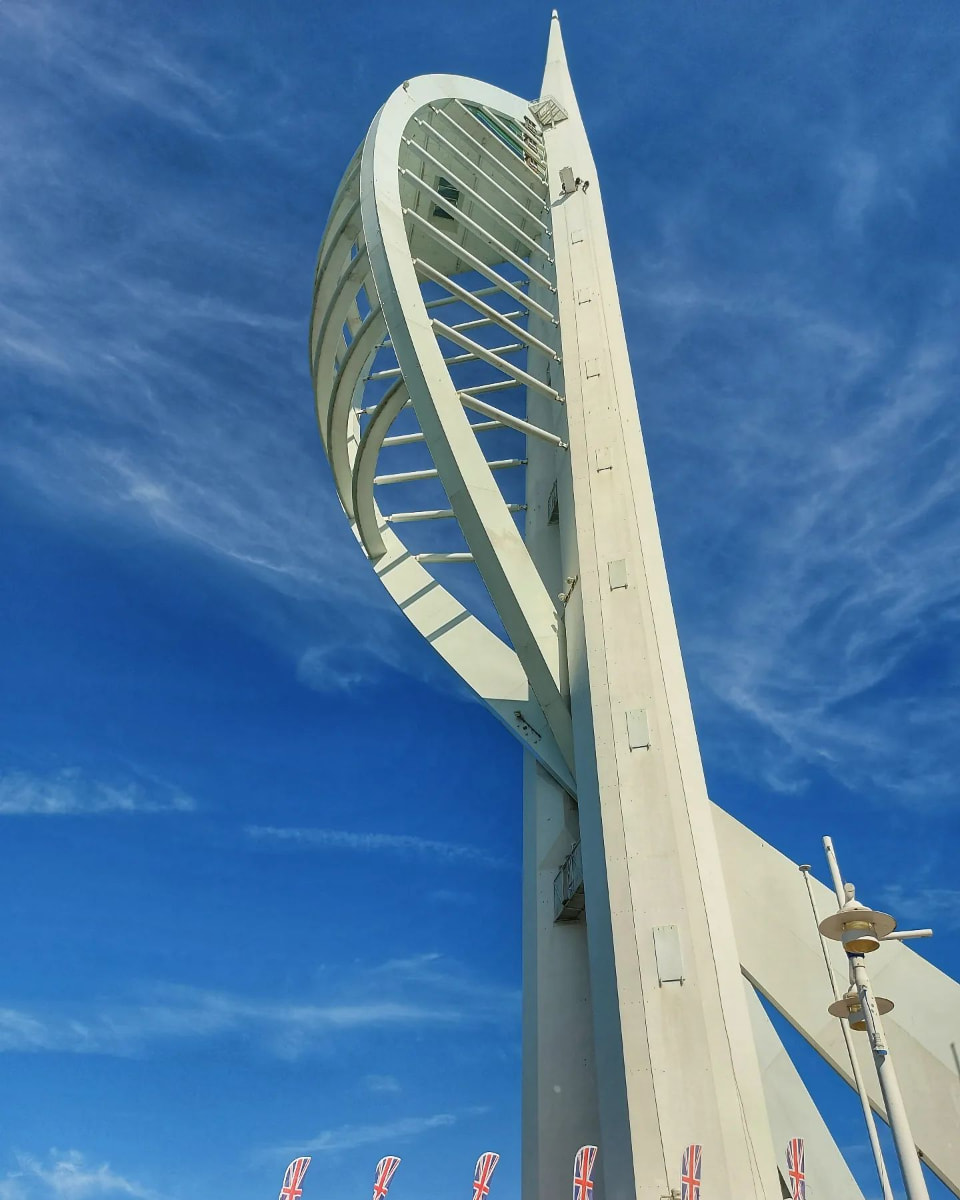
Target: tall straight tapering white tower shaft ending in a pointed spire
<point>675,1059</point>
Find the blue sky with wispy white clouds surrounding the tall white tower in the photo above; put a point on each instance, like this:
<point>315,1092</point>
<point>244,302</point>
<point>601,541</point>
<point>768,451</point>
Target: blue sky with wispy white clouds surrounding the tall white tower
<point>262,895</point>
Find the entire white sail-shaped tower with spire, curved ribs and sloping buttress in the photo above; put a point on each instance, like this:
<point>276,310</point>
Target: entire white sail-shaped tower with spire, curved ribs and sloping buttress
<point>477,406</point>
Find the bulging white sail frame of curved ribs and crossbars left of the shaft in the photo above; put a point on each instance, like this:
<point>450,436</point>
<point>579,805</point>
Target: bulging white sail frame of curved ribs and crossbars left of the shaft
<point>387,232</point>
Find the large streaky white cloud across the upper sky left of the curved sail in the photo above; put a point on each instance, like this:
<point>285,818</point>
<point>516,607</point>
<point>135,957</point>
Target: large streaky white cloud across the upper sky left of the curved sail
<point>169,403</point>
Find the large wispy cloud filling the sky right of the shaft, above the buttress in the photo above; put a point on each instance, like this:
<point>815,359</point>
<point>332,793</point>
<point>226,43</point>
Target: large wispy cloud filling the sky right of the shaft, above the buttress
<point>793,331</point>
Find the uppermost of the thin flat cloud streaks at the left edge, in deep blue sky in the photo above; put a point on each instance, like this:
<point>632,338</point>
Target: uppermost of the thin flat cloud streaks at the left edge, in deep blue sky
<point>70,793</point>
